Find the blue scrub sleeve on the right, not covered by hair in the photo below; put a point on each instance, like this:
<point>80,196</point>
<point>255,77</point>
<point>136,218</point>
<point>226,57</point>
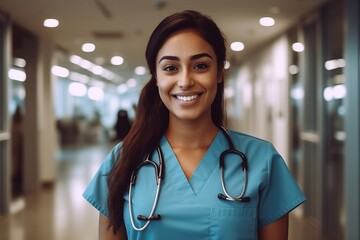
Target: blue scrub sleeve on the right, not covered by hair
<point>281,193</point>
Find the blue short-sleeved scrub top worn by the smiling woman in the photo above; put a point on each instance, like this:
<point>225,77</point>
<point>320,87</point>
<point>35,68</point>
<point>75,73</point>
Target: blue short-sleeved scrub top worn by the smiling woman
<point>190,209</point>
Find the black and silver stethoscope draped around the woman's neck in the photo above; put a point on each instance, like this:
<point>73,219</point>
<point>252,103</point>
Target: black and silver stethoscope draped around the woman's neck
<point>159,168</point>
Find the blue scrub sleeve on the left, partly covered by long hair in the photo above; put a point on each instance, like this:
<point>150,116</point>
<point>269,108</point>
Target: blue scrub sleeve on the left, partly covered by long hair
<point>96,192</point>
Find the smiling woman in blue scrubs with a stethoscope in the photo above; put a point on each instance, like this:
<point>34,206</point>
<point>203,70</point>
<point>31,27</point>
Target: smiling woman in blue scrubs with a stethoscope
<point>181,110</point>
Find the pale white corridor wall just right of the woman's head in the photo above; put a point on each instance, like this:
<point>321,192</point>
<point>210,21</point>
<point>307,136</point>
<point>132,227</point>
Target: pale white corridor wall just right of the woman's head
<point>261,100</point>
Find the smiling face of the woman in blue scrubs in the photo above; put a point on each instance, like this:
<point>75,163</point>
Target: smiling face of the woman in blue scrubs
<point>187,75</point>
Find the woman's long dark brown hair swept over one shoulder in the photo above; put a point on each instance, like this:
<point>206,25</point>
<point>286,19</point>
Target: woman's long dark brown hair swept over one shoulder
<point>144,136</point>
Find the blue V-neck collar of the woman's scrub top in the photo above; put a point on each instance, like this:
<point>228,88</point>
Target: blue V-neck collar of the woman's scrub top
<point>174,174</point>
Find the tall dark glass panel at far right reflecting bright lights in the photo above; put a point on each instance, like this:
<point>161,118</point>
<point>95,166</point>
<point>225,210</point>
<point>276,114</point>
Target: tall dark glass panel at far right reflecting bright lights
<point>334,93</point>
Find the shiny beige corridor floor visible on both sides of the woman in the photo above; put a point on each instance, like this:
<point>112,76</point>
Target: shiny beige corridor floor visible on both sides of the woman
<point>60,213</point>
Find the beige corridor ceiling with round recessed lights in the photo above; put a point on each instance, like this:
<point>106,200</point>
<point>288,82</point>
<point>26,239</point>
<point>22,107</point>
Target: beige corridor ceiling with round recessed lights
<point>119,27</point>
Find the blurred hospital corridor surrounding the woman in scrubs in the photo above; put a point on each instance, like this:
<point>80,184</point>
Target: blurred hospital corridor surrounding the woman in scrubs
<point>70,77</point>
